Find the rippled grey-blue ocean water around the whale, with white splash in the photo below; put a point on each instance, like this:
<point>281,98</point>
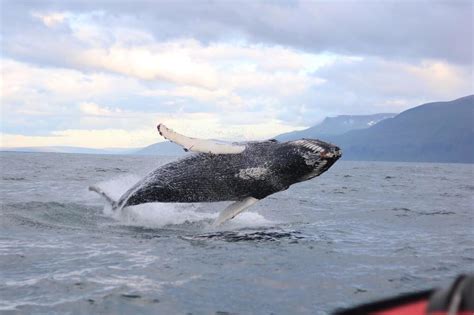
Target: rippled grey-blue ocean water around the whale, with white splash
<point>361,231</point>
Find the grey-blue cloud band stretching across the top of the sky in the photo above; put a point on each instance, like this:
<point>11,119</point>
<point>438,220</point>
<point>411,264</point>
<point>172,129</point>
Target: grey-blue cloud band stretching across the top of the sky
<point>400,30</point>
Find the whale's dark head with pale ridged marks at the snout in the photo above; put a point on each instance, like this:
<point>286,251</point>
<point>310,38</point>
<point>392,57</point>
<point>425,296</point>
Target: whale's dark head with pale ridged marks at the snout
<point>318,156</point>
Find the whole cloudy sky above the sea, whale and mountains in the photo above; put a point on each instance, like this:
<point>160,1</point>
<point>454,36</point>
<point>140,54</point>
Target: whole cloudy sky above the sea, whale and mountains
<point>103,74</point>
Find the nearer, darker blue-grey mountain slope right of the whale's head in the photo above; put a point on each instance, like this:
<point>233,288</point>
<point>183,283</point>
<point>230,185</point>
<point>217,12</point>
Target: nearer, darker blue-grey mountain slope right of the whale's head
<point>433,132</point>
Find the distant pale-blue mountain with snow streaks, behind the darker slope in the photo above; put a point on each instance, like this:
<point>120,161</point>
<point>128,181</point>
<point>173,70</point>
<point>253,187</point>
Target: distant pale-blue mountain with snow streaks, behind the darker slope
<point>335,126</point>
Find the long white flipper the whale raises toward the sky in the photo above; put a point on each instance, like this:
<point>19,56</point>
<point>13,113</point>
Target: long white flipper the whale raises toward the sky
<point>200,145</point>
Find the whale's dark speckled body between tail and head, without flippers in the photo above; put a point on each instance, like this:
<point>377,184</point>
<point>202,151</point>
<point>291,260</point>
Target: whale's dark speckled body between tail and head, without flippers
<point>263,168</point>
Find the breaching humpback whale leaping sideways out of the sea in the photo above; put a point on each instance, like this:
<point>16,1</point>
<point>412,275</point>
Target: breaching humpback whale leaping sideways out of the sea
<point>243,172</point>
